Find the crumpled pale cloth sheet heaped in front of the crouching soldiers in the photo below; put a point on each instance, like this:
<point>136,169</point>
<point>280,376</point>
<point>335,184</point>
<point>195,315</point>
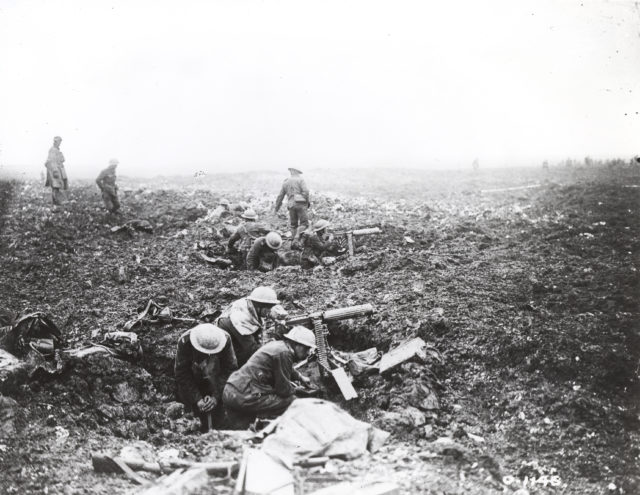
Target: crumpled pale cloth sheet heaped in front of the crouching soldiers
<point>315,427</point>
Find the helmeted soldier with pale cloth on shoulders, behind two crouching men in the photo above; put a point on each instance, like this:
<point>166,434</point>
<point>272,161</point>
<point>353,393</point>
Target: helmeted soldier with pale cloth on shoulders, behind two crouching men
<point>244,321</point>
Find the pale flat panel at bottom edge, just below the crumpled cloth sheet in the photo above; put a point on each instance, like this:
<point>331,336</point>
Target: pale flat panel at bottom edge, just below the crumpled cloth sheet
<point>261,474</point>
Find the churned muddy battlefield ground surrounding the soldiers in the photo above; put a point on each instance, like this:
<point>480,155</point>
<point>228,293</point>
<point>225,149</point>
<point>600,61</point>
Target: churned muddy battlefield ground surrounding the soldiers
<point>530,295</point>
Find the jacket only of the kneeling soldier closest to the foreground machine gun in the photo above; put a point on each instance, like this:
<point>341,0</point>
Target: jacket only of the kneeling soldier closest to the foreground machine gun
<point>268,371</point>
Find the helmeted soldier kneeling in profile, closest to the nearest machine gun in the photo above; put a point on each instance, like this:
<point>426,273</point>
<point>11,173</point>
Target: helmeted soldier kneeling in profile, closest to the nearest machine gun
<point>264,386</point>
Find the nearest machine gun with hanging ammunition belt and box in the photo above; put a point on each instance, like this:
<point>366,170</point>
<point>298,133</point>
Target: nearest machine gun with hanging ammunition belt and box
<point>318,321</point>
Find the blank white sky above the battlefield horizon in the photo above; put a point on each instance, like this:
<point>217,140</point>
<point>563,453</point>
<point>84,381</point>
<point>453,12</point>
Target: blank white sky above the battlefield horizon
<point>180,86</point>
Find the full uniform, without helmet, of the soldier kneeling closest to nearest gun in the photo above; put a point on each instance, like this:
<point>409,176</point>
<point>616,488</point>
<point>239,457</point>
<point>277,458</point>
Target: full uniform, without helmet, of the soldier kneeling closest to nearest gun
<point>263,385</point>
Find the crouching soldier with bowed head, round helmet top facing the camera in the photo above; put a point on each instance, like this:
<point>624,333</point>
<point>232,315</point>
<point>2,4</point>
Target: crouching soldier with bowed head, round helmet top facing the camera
<point>204,360</point>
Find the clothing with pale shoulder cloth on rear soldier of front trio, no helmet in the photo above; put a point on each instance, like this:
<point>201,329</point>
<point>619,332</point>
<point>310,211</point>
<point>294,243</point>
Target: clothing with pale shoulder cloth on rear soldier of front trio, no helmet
<point>243,324</point>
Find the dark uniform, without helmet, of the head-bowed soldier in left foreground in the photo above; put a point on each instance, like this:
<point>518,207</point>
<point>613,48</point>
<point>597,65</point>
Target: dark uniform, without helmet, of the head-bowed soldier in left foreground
<point>198,374</point>
